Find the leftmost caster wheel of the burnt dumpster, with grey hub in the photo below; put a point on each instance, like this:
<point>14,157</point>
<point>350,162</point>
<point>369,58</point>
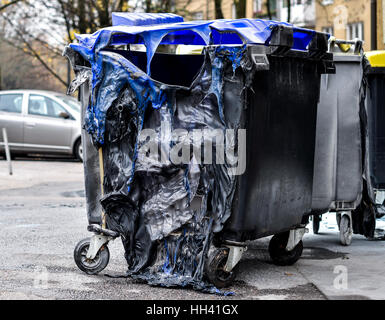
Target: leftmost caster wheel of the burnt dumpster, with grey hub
<point>91,266</point>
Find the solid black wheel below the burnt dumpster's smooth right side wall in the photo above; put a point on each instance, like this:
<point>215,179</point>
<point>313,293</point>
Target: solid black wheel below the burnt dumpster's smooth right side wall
<point>278,252</point>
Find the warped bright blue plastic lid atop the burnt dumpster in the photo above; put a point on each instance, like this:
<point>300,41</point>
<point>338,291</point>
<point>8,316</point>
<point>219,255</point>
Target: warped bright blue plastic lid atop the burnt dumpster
<point>153,30</point>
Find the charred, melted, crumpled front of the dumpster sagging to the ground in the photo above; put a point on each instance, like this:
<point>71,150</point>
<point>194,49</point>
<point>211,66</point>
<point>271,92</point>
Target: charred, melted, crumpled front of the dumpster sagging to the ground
<point>165,212</point>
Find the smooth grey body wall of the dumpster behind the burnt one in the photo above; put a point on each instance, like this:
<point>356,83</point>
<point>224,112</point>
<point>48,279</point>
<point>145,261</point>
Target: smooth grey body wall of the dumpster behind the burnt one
<point>338,155</point>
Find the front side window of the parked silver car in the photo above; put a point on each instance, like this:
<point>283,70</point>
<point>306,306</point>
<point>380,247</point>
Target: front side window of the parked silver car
<point>44,106</point>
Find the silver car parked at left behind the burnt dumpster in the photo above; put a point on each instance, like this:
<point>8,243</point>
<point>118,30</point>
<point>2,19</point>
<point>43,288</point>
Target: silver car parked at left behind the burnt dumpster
<point>43,122</point>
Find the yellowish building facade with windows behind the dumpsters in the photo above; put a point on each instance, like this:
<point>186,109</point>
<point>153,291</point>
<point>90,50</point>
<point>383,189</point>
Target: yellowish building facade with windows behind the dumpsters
<point>345,19</point>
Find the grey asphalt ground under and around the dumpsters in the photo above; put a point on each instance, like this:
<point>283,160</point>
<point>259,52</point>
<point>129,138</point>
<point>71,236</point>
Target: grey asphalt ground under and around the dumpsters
<point>42,217</point>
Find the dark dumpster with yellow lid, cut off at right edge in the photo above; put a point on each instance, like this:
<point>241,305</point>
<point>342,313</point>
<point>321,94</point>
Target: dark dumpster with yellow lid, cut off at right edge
<point>373,204</point>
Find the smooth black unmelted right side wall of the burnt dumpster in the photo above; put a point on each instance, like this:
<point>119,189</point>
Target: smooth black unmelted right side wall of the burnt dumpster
<point>276,190</point>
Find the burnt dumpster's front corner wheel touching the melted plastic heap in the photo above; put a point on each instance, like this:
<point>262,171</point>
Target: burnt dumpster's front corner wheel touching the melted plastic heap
<point>215,269</point>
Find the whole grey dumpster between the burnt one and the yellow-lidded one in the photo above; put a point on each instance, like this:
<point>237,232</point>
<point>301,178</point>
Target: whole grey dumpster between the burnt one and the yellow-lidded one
<point>339,153</point>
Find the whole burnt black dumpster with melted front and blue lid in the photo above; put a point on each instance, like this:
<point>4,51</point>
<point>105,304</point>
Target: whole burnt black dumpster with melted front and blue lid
<point>196,153</point>
